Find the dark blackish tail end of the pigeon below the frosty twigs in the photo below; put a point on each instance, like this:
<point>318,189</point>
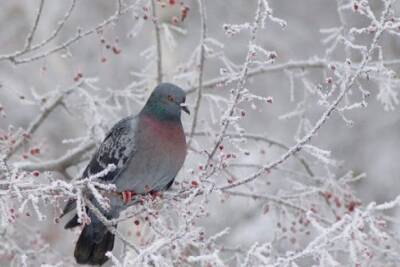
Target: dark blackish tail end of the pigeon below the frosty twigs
<point>93,243</point>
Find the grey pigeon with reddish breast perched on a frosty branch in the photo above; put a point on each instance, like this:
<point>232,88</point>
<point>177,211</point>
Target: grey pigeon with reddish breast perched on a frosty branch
<point>147,151</point>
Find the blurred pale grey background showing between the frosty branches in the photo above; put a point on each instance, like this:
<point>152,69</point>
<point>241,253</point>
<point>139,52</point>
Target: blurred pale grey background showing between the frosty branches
<point>370,146</point>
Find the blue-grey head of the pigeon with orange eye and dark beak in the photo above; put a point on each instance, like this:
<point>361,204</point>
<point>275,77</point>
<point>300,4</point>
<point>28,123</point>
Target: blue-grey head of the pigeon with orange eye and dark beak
<point>166,102</point>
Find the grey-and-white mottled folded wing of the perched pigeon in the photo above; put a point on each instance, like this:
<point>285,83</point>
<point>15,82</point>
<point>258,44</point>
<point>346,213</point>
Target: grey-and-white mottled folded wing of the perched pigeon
<point>117,148</point>
